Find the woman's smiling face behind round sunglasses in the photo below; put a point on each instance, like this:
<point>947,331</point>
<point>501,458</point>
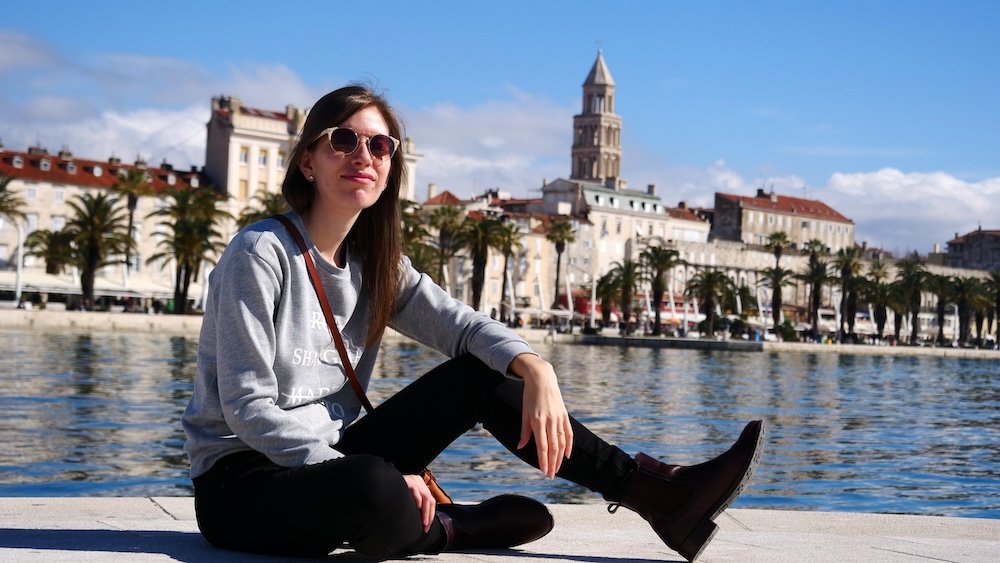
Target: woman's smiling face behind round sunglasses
<point>353,182</point>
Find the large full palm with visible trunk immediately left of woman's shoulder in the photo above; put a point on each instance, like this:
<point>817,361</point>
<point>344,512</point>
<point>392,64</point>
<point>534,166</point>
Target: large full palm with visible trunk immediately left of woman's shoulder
<point>192,217</point>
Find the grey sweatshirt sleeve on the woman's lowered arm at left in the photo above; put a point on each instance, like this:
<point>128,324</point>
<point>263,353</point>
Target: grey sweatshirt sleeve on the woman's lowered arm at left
<point>246,293</point>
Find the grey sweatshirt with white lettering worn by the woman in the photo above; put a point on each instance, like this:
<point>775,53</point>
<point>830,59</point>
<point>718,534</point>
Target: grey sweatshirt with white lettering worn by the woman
<point>269,377</point>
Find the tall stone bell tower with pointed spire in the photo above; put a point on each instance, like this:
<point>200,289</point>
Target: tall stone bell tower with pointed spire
<point>597,151</point>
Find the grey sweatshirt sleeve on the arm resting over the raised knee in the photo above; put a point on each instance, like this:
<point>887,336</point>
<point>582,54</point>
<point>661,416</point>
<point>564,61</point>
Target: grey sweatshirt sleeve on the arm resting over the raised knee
<point>427,314</point>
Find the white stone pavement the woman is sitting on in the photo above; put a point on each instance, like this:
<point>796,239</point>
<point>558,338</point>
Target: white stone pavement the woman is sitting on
<point>163,529</point>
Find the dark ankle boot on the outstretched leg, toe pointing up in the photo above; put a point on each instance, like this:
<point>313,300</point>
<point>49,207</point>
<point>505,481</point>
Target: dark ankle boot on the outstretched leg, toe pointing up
<point>680,502</point>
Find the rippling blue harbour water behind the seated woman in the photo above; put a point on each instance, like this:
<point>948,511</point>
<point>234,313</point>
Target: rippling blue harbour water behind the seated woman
<point>99,414</point>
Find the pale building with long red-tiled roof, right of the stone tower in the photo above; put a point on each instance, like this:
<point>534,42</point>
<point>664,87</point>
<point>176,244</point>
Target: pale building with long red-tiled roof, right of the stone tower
<point>753,219</point>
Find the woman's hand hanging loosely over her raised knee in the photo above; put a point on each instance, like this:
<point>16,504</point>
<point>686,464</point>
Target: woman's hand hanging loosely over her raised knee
<point>543,413</point>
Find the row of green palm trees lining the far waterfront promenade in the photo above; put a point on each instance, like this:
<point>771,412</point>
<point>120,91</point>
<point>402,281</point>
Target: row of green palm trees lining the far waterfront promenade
<point>98,235</point>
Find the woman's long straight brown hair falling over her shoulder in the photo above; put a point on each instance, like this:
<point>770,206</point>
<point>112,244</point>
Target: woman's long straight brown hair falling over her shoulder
<point>377,234</point>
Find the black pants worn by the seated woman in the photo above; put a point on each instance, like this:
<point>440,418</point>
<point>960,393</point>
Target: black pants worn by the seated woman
<point>246,502</point>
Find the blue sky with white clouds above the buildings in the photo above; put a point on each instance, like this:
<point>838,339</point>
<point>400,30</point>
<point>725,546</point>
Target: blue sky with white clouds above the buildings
<point>885,110</point>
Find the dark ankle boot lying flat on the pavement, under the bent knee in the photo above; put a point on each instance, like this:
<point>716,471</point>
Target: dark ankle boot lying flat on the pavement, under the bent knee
<point>498,523</point>
